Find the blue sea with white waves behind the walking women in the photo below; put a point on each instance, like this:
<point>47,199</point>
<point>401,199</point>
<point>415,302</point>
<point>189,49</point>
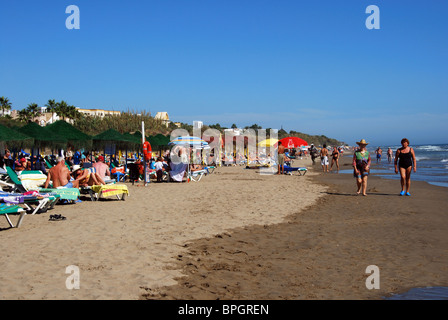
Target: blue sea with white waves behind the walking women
<point>432,164</point>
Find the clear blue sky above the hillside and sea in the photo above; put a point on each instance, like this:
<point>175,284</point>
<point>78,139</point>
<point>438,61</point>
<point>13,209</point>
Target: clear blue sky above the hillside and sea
<point>308,66</point>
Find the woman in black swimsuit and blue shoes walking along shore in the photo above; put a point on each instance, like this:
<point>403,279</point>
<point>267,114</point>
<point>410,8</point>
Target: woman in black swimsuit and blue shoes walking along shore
<point>405,157</point>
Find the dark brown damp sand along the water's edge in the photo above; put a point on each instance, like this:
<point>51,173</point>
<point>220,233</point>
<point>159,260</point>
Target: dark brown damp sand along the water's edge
<point>322,252</point>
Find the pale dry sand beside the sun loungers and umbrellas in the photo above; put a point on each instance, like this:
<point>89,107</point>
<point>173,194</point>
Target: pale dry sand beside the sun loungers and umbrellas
<point>124,247</point>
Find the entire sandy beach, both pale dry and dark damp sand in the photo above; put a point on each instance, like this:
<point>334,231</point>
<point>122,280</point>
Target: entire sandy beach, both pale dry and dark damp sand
<point>235,234</point>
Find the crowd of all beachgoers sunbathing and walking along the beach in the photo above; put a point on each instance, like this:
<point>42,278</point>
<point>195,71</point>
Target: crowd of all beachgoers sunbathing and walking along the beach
<point>76,169</point>
